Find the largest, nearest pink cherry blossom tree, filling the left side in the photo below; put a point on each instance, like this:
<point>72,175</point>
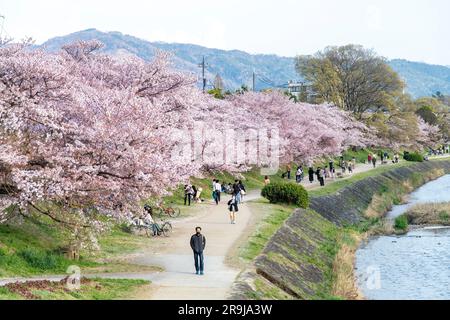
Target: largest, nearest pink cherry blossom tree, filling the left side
<point>83,129</point>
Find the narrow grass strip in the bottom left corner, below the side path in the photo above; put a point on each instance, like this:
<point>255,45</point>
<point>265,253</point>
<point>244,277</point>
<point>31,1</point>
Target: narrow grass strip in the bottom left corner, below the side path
<point>90,289</point>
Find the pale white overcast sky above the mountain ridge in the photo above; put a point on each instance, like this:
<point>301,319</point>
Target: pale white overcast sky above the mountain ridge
<point>416,30</point>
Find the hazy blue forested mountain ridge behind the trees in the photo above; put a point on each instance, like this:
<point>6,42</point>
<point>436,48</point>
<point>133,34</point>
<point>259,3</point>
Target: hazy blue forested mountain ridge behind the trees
<point>236,67</point>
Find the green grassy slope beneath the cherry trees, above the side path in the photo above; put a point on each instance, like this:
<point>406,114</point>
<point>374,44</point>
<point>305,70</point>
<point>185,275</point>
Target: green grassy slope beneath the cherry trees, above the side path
<point>35,246</point>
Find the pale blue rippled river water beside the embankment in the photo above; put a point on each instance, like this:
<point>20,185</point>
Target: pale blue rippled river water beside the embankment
<point>415,266</point>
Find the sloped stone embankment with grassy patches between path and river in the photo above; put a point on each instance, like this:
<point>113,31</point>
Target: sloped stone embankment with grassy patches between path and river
<point>297,262</point>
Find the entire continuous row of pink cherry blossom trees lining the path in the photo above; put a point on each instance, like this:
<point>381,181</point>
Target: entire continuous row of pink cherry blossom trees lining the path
<point>82,129</point>
